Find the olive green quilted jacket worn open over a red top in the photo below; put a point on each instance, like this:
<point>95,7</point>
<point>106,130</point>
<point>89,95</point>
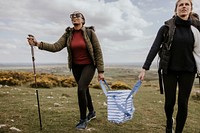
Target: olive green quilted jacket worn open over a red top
<point>92,43</point>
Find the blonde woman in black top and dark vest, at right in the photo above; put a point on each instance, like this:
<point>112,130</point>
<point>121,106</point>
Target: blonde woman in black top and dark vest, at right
<point>179,61</point>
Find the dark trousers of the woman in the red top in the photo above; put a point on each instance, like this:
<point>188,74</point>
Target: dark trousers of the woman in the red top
<point>83,75</point>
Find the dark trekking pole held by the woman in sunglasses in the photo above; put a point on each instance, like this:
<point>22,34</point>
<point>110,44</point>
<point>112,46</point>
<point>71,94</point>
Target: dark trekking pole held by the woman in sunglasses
<point>34,71</point>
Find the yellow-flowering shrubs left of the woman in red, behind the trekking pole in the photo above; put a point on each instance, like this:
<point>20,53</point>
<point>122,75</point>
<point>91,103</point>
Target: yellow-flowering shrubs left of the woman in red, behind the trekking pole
<point>44,80</point>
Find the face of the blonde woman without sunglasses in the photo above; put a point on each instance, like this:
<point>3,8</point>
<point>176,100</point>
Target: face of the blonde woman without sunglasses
<point>183,9</point>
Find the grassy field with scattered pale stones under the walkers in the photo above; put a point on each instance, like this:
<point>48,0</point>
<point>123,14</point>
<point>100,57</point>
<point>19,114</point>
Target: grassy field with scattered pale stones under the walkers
<point>59,107</point>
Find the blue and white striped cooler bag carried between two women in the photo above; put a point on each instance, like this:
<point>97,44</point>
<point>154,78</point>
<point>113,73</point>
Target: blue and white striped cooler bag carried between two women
<point>120,105</point>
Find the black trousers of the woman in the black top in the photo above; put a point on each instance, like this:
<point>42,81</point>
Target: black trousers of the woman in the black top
<point>184,80</point>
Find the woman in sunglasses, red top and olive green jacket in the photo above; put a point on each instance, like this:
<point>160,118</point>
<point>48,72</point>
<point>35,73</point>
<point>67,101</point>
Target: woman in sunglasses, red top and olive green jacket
<point>84,56</point>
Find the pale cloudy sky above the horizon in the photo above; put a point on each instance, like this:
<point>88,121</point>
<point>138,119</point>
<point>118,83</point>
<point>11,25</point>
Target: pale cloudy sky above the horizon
<point>126,29</point>
